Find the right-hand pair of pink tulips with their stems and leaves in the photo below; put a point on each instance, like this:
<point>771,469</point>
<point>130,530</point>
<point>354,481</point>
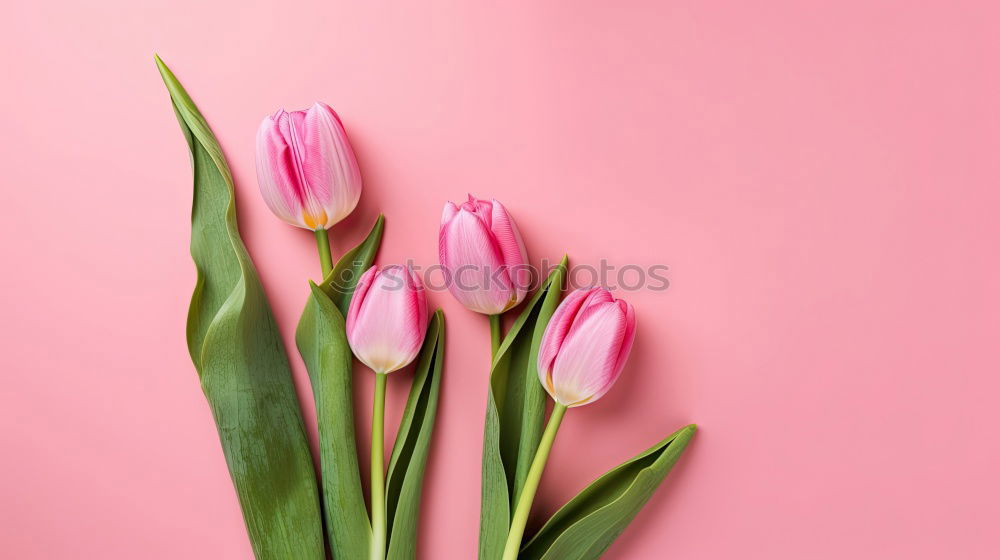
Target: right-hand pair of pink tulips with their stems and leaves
<point>572,351</point>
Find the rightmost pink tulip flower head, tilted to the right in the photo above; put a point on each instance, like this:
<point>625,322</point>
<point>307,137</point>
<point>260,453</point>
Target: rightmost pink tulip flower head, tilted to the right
<point>585,346</point>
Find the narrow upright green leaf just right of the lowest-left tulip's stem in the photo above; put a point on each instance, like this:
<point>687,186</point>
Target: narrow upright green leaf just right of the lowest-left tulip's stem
<point>409,453</point>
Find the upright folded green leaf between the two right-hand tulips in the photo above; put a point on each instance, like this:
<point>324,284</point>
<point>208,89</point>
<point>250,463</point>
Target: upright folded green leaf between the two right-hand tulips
<point>515,412</point>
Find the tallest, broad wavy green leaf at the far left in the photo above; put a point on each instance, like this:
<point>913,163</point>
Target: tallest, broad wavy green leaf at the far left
<point>241,361</point>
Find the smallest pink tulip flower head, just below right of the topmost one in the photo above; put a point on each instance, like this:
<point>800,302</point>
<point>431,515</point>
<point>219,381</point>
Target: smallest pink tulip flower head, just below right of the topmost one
<point>387,319</point>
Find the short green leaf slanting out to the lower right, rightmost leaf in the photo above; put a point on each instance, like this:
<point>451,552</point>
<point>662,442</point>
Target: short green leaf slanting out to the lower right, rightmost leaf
<point>587,525</point>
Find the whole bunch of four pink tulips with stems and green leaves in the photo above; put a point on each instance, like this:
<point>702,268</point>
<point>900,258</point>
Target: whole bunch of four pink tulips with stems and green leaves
<point>571,351</point>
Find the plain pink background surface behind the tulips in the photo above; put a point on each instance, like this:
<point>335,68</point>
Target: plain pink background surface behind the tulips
<point>820,177</point>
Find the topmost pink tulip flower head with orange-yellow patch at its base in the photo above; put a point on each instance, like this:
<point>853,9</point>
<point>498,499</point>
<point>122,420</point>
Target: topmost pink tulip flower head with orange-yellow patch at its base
<point>306,168</point>
